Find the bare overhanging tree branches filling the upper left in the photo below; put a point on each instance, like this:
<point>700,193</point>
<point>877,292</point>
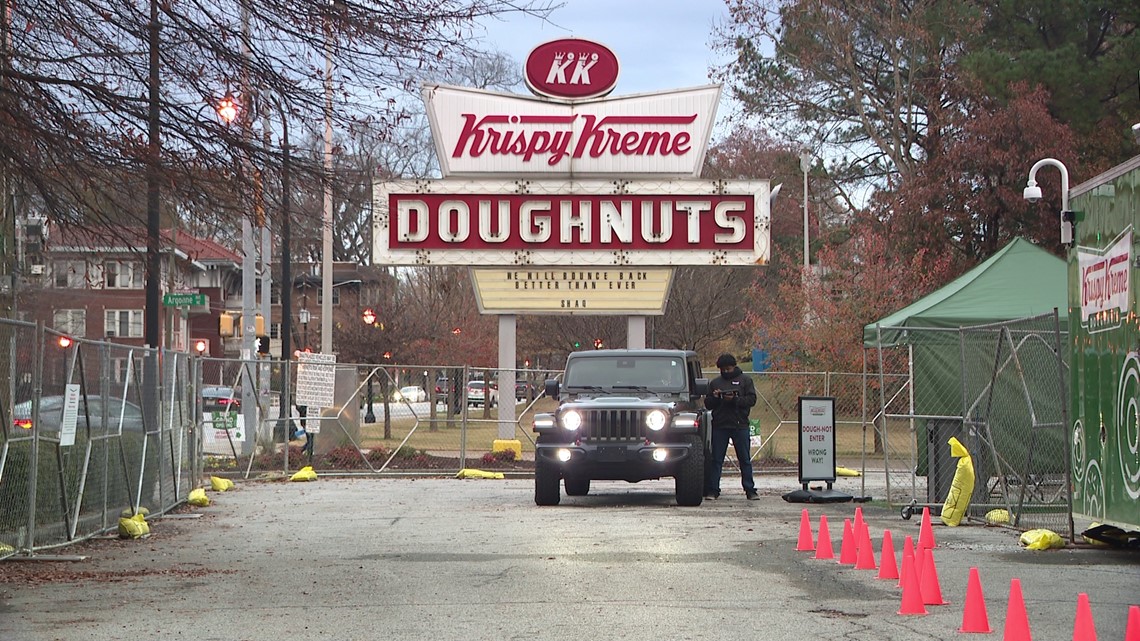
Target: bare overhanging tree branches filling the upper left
<point>76,76</point>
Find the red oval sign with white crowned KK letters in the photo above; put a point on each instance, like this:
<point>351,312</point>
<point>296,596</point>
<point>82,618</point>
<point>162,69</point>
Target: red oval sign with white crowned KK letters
<point>572,69</point>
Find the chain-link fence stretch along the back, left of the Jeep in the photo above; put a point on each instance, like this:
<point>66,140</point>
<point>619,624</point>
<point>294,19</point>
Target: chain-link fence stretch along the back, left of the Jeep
<point>390,419</point>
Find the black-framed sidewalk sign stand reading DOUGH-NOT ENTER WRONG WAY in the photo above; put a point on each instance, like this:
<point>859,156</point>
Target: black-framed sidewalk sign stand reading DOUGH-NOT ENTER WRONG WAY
<point>817,452</point>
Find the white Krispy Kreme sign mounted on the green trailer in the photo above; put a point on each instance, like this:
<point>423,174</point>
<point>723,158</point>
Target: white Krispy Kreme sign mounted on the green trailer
<point>1105,282</point>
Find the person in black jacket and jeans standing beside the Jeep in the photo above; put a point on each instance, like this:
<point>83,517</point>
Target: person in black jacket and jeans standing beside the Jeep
<point>731,396</point>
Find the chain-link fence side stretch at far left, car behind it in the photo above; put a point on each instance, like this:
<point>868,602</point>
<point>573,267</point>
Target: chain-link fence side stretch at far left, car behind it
<point>89,431</point>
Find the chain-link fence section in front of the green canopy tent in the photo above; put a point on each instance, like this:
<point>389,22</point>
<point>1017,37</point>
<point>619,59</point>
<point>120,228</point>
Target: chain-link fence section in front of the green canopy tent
<point>1000,391</point>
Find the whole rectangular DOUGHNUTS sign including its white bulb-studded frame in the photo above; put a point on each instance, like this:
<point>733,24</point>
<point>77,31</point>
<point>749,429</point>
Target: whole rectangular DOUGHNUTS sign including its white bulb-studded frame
<point>572,223</point>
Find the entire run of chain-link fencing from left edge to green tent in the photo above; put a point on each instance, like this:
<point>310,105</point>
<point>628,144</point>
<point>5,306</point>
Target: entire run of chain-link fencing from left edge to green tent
<point>997,388</point>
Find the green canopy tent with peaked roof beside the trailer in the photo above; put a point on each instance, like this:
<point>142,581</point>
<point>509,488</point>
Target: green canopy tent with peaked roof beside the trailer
<point>957,372</point>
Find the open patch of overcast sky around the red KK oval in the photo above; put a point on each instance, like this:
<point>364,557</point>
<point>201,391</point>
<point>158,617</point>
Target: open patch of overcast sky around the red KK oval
<point>659,44</point>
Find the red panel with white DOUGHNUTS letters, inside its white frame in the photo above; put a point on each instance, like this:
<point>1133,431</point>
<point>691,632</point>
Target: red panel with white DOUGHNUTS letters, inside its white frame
<point>628,222</point>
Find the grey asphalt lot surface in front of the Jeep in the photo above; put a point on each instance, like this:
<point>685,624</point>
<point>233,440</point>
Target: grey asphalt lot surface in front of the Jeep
<point>446,559</point>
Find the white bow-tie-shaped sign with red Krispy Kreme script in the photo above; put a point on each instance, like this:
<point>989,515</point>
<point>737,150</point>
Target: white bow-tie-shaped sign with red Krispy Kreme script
<point>483,133</point>
